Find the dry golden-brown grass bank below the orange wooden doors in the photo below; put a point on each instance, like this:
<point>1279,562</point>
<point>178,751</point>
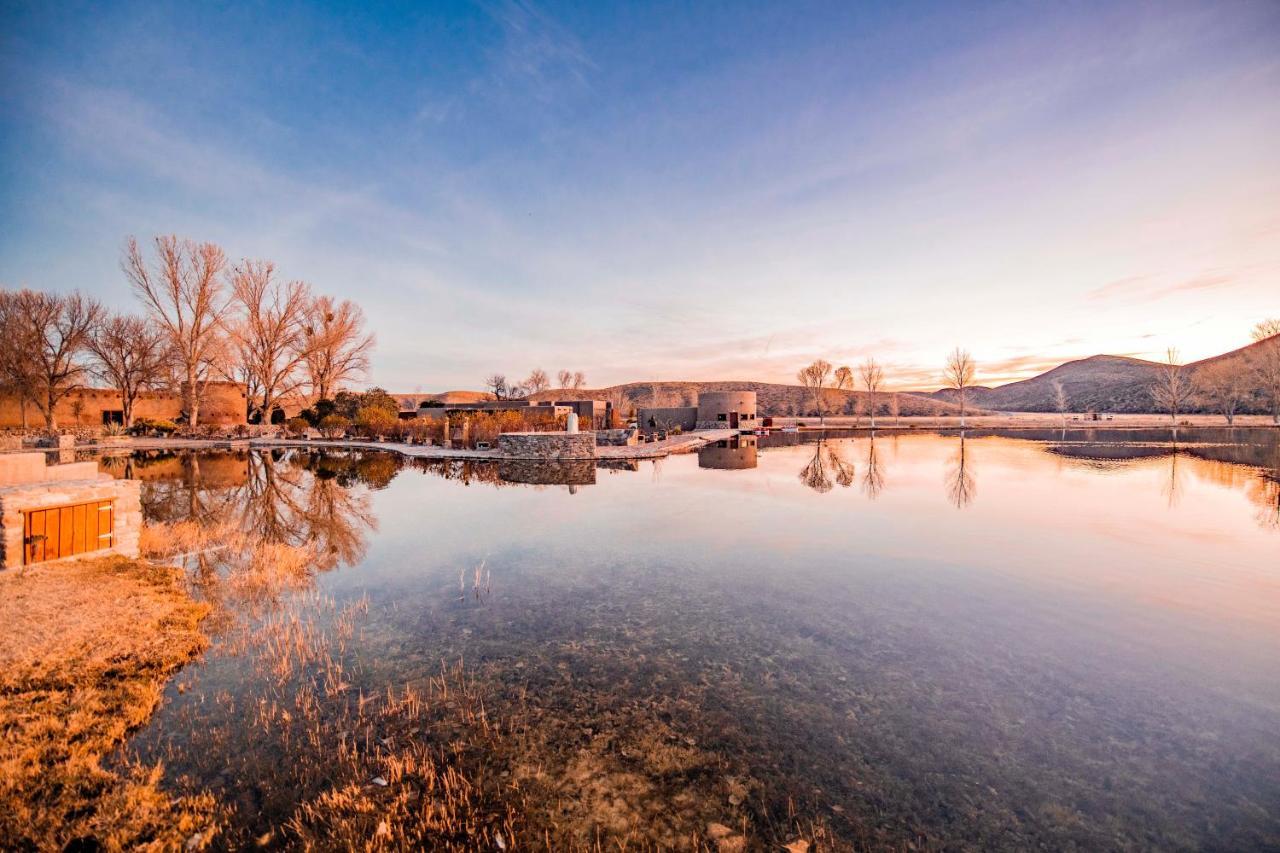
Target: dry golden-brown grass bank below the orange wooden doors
<point>84,659</point>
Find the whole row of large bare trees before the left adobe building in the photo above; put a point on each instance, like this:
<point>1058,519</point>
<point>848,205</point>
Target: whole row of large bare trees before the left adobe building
<point>204,321</point>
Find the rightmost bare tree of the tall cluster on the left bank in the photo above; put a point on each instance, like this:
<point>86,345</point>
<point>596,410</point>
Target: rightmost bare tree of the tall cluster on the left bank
<point>337,346</point>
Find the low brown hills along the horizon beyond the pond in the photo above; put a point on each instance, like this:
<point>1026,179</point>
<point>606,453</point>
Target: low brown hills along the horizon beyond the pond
<point>1098,384</point>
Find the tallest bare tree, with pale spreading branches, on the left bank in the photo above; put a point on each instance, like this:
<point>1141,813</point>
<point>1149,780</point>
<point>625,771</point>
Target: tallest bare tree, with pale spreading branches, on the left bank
<point>185,295</point>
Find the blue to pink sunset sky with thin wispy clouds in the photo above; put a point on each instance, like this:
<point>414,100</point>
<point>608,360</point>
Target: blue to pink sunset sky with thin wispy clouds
<point>655,191</point>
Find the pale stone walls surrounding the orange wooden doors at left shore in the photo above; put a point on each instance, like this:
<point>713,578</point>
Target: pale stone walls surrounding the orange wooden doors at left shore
<point>28,485</point>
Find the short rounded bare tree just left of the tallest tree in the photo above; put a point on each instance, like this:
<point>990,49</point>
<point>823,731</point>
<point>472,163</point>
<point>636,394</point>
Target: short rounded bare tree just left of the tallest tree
<point>130,355</point>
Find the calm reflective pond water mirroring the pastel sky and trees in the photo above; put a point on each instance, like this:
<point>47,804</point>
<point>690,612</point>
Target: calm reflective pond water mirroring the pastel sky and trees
<point>1060,640</point>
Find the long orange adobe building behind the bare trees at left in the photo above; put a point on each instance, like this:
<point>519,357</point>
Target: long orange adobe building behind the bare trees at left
<point>225,405</point>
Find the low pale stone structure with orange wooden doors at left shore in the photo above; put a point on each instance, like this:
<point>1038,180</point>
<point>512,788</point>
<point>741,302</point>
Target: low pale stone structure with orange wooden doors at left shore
<point>60,512</point>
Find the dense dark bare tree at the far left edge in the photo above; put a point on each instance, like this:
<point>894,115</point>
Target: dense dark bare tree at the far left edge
<point>56,331</point>
